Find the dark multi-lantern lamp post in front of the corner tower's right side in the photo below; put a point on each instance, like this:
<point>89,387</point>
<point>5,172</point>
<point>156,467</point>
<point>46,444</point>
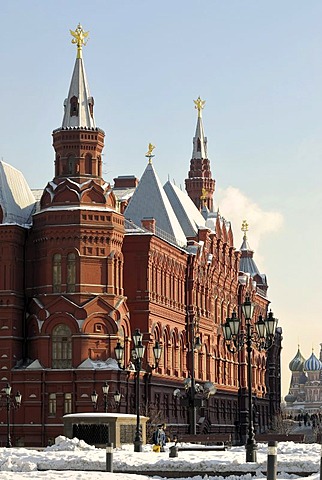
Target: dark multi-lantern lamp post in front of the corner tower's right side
<point>137,358</point>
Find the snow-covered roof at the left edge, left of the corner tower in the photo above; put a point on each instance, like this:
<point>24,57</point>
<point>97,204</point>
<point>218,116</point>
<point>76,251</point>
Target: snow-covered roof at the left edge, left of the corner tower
<point>16,199</point>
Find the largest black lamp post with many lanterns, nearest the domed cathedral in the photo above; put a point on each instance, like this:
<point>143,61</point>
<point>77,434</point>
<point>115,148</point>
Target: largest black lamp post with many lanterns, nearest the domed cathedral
<point>262,336</point>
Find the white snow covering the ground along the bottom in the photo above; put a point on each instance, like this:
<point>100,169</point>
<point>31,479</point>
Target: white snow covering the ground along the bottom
<point>73,459</point>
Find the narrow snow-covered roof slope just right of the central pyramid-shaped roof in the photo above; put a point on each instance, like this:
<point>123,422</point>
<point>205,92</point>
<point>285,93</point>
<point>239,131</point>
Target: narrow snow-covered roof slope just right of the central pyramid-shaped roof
<point>186,212</point>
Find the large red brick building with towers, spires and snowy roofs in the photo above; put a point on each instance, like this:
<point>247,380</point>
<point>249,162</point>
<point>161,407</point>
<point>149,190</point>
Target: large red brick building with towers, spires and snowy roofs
<point>87,264</point>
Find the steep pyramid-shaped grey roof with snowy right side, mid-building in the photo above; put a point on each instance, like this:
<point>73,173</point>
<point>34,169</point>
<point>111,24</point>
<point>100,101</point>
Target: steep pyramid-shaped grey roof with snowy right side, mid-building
<point>150,201</point>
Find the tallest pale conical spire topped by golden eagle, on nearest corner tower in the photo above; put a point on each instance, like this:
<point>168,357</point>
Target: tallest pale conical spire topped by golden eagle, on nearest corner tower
<point>79,104</point>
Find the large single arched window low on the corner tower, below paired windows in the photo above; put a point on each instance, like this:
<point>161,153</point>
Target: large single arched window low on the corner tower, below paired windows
<point>62,347</point>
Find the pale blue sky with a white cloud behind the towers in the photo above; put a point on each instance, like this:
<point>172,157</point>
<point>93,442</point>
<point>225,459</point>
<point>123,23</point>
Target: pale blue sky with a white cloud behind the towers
<point>258,65</point>
